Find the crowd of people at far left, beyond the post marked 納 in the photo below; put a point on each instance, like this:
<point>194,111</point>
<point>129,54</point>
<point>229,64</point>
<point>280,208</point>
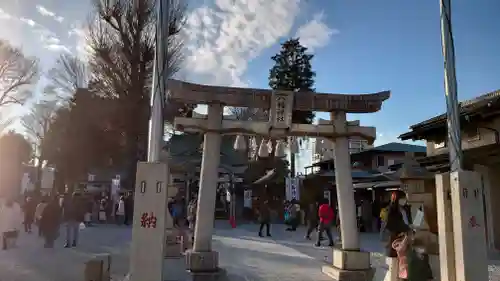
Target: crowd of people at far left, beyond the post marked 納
<point>69,211</point>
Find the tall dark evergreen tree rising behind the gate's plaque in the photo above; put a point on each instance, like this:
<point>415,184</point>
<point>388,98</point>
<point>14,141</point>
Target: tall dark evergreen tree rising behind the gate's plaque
<point>292,71</point>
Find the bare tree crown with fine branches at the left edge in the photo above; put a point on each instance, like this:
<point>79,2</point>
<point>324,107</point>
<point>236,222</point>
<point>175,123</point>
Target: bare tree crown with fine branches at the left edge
<point>16,72</point>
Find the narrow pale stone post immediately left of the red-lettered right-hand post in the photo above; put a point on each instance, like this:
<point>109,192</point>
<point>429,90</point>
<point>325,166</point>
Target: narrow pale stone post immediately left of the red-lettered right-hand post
<point>445,228</point>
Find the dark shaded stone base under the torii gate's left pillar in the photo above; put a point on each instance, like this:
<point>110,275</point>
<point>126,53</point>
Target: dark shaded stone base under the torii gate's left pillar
<point>204,266</point>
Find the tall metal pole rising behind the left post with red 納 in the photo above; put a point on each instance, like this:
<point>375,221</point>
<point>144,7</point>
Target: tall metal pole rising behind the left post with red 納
<point>159,87</point>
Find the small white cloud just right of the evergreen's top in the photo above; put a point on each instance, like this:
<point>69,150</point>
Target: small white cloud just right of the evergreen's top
<point>315,33</point>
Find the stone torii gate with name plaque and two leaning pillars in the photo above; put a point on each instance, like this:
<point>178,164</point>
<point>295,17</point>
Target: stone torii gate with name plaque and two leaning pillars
<point>349,262</point>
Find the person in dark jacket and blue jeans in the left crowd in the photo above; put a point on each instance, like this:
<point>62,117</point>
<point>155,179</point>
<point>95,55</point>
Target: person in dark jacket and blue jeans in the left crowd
<point>74,211</point>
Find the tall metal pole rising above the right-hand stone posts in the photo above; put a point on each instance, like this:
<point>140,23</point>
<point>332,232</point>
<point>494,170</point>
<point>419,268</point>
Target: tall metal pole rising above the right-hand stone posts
<point>450,85</point>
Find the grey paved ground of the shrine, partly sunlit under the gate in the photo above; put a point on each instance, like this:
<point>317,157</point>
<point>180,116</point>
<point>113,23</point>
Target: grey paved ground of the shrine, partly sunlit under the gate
<point>244,255</point>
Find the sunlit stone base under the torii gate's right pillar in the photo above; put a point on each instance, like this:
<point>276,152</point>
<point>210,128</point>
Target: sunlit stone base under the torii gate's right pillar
<point>350,266</point>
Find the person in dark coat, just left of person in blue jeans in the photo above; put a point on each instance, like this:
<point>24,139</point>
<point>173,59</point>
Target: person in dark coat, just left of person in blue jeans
<point>50,222</point>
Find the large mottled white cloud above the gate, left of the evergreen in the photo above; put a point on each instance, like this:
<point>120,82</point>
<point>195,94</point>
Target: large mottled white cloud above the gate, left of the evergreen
<point>220,41</point>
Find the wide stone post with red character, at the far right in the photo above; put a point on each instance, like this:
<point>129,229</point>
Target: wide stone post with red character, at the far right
<point>468,226</point>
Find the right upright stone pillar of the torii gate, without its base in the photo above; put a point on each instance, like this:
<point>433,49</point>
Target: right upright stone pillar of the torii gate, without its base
<point>343,179</point>
